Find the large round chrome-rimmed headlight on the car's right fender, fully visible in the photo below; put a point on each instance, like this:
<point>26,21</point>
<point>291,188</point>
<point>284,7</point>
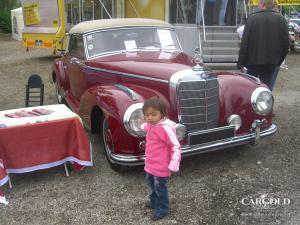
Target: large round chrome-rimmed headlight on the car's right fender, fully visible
<point>262,101</point>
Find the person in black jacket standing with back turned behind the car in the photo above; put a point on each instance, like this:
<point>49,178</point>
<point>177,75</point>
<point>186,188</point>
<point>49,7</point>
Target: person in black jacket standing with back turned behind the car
<point>265,42</point>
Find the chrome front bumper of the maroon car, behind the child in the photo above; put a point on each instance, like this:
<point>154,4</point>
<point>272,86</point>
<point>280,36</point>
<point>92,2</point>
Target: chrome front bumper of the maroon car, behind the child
<point>188,150</point>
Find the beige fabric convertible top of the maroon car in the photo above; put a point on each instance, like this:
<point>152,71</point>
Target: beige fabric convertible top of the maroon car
<point>91,25</point>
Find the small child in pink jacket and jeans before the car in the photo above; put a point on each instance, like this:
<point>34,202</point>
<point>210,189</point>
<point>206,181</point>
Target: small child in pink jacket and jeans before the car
<point>163,155</point>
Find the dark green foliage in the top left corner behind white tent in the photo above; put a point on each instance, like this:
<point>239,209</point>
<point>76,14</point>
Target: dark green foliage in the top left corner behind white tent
<point>5,18</point>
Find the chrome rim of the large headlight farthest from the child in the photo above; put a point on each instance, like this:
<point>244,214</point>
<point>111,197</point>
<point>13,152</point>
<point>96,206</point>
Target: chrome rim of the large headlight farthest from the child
<point>257,107</point>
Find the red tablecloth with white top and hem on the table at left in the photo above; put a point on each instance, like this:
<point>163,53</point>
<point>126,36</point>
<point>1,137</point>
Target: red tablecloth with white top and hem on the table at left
<point>41,145</point>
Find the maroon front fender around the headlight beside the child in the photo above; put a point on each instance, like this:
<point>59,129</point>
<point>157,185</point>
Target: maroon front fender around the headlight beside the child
<point>113,101</point>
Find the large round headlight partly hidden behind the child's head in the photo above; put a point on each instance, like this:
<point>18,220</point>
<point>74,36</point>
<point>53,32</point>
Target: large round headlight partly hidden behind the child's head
<point>133,119</point>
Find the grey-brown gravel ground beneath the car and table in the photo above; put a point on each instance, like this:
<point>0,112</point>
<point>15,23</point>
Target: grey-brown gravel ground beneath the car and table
<point>209,189</point>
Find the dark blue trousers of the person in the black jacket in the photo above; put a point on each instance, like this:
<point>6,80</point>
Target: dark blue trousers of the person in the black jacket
<point>263,72</point>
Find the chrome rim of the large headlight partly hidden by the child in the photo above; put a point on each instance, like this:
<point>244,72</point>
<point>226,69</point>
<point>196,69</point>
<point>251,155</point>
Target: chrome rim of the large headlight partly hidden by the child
<point>136,108</point>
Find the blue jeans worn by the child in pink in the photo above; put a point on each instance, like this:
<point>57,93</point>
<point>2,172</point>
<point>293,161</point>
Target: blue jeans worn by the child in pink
<point>159,199</point>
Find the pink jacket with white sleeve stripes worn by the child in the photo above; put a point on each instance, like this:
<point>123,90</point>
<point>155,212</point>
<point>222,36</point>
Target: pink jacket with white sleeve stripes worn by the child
<point>163,152</point>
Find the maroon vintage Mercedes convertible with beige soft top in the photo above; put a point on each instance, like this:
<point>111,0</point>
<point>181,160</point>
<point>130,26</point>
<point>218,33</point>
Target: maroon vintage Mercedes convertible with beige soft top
<point>111,67</point>
